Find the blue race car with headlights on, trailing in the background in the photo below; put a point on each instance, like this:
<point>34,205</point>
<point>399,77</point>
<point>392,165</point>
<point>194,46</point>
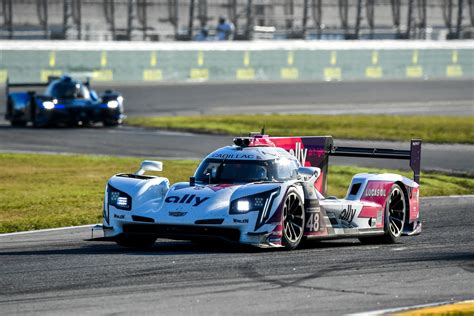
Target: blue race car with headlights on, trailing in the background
<point>65,101</point>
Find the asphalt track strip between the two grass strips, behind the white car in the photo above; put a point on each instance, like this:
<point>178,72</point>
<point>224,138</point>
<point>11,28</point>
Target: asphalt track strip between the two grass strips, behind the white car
<point>156,144</point>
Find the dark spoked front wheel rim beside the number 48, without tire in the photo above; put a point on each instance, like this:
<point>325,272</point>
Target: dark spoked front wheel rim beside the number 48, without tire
<point>293,218</point>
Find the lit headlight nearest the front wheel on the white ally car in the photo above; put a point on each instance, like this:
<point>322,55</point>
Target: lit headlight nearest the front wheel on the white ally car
<point>253,203</point>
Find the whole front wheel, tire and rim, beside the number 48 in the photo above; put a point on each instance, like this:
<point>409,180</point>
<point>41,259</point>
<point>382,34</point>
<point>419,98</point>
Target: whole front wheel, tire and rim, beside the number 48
<point>293,220</point>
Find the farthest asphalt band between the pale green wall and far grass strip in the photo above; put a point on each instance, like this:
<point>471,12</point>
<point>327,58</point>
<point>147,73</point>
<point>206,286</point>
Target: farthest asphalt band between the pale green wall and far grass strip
<point>434,97</point>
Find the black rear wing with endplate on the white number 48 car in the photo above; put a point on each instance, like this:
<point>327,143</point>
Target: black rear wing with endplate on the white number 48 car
<point>413,155</point>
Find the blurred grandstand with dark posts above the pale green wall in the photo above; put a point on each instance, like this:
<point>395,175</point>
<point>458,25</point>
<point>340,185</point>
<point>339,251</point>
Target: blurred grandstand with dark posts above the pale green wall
<point>169,20</point>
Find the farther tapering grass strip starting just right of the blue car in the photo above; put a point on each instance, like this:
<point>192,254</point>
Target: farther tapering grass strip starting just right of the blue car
<point>433,129</point>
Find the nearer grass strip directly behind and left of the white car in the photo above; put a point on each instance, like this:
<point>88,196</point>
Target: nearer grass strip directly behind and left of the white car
<point>44,191</point>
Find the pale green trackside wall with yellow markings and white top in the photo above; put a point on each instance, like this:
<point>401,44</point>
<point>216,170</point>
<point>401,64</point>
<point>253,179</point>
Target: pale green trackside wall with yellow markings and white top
<point>26,61</point>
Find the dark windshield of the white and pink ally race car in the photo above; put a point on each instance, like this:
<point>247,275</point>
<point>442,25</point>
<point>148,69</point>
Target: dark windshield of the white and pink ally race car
<point>215,171</point>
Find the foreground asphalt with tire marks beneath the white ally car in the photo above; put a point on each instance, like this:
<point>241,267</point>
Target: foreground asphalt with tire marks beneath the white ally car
<point>59,273</point>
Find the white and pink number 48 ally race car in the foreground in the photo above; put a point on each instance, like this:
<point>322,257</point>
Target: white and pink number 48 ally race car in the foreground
<point>267,192</point>
